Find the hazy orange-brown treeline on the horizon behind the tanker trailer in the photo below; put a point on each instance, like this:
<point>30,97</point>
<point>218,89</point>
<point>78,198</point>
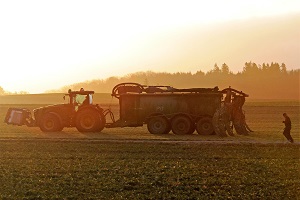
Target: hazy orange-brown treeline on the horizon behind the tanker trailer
<point>266,81</point>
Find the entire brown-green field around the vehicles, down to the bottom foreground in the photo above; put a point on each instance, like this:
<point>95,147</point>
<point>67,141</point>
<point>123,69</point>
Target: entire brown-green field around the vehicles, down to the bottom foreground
<point>130,163</point>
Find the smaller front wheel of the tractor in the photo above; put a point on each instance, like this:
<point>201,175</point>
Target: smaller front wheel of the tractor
<point>50,123</point>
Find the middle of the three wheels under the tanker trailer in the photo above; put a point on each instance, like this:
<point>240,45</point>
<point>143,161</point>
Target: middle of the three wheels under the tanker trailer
<point>181,125</point>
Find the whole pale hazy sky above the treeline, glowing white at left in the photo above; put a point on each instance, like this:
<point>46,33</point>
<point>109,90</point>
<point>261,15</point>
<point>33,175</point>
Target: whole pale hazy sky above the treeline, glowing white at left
<point>49,44</point>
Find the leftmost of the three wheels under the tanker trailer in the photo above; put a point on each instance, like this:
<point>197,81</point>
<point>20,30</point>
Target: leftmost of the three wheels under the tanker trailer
<point>158,125</point>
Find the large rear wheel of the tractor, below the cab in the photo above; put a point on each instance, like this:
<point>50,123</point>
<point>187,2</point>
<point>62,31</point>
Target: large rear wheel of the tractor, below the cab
<point>89,121</point>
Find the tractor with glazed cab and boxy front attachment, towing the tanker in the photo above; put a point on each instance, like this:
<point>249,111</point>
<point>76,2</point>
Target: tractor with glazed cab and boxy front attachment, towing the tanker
<point>79,112</point>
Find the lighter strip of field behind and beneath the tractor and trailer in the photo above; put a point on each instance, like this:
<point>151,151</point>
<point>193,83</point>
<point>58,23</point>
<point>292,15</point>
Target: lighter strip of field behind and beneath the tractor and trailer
<point>265,118</point>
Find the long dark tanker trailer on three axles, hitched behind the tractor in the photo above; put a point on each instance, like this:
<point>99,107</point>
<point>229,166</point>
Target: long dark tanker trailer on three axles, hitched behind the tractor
<point>164,108</point>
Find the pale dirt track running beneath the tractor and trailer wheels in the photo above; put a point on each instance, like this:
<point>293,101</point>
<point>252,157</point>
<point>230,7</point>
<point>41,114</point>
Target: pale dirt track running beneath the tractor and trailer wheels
<point>141,135</point>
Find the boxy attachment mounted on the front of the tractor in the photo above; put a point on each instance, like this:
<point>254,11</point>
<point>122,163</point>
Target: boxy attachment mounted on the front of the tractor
<point>18,116</point>
